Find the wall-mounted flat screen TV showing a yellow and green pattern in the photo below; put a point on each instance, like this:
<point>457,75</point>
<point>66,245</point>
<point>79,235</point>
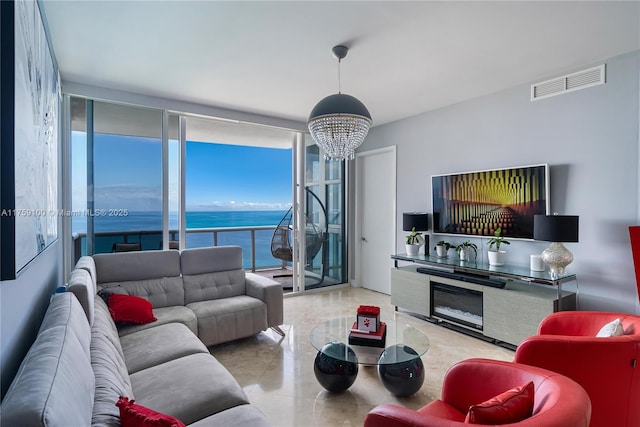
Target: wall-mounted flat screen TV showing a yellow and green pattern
<point>477,203</point>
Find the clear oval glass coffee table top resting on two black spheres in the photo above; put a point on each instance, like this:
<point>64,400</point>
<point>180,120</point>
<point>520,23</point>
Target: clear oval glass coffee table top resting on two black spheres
<point>403,342</point>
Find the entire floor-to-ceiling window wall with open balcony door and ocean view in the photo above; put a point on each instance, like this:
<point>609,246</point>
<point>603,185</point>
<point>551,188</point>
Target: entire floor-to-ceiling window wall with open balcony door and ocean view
<point>136,171</point>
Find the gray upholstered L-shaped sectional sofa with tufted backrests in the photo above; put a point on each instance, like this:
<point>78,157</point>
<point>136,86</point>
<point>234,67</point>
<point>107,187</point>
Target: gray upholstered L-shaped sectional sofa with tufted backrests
<point>80,362</point>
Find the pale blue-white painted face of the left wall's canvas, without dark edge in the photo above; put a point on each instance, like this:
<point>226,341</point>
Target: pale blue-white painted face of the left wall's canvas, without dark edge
<point>36,109</point>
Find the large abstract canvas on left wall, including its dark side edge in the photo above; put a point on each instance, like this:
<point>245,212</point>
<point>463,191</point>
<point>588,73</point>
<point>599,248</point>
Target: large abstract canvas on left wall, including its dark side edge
<point>31,101</point>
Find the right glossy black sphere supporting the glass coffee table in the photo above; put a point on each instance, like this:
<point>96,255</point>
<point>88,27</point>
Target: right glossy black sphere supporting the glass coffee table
<point>404,377</point>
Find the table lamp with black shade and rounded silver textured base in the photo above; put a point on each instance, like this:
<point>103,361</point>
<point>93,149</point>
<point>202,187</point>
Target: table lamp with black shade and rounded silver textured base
<point>556,229</point>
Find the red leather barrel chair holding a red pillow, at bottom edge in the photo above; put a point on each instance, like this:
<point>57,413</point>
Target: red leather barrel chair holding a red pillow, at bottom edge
<point>558,401</point>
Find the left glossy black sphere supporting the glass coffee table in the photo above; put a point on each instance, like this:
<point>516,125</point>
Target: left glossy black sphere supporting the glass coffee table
<point>335,374</point>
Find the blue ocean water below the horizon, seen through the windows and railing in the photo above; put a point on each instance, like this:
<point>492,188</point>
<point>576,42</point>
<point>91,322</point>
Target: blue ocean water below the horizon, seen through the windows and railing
<point>152,221</point>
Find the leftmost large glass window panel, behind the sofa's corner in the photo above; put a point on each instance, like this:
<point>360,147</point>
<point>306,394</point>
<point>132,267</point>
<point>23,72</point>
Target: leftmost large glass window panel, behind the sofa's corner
<point>116,177</point>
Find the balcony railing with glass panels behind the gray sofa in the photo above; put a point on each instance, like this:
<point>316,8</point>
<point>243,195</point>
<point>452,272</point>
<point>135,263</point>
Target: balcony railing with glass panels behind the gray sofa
<point>255,242</point>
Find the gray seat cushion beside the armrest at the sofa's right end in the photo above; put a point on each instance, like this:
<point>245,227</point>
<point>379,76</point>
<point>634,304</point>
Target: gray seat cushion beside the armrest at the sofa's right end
<point>228,319</point>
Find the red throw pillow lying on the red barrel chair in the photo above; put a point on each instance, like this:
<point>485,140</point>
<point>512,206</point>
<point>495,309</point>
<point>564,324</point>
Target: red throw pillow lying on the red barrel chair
<point>512,406</point>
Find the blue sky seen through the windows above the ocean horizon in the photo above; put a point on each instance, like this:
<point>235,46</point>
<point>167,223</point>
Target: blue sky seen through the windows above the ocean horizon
<point>218,176</point>
